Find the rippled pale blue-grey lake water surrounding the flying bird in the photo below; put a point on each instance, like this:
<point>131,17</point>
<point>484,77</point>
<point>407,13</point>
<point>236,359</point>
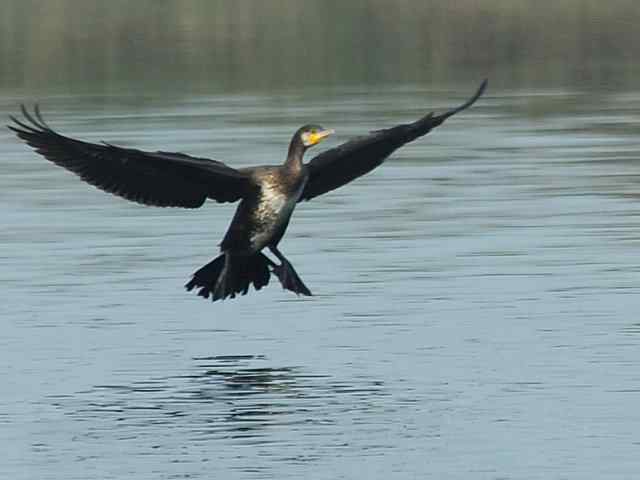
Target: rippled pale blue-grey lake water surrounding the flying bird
<point>475,311</point>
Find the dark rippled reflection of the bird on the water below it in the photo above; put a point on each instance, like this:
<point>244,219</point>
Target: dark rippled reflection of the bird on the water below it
<point>224,397</point>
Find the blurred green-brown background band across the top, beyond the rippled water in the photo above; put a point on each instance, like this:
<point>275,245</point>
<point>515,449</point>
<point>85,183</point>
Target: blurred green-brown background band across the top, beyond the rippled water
<point>222,45</point>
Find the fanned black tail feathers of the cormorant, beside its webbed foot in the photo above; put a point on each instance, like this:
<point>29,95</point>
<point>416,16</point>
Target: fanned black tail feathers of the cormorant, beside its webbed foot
<point>228,276</point>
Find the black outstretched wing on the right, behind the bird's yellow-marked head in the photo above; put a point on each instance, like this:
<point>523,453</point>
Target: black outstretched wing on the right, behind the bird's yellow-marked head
<point>346,162</point>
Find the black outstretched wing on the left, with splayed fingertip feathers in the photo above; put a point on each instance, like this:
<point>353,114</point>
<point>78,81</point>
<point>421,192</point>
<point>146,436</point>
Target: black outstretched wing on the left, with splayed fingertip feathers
<point>153,178</point>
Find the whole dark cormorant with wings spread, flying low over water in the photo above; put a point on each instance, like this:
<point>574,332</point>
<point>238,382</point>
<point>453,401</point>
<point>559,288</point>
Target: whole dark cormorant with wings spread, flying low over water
<point>267,194</point>
